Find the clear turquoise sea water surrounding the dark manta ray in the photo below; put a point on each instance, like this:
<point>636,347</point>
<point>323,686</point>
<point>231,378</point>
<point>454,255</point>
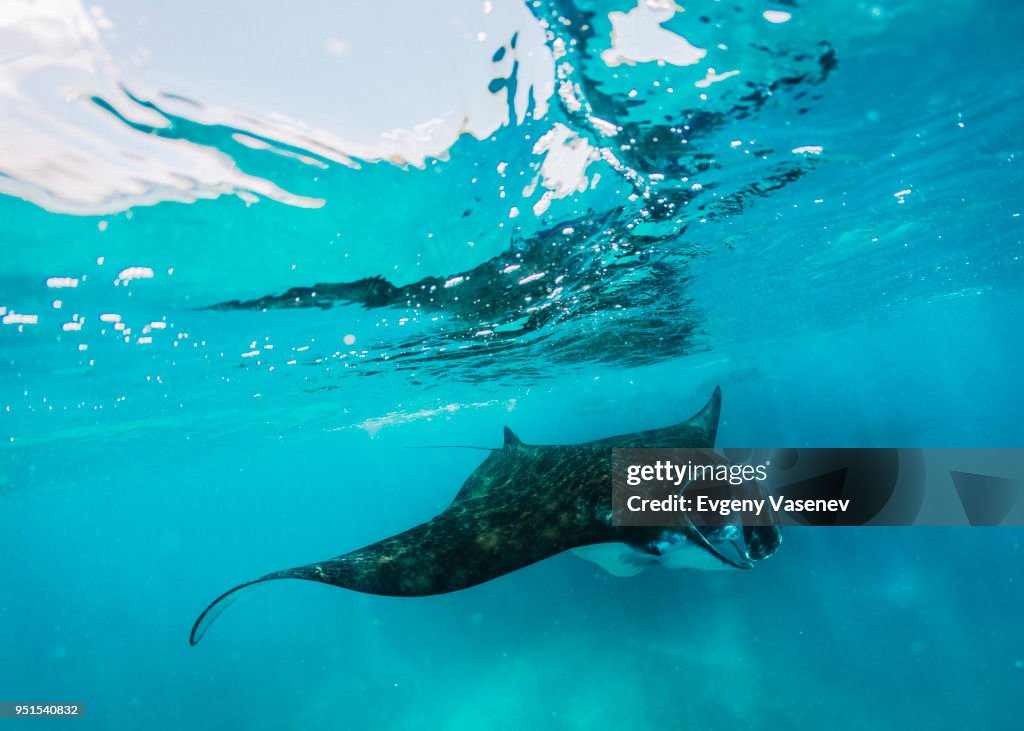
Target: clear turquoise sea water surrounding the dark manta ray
<point>868,294</point>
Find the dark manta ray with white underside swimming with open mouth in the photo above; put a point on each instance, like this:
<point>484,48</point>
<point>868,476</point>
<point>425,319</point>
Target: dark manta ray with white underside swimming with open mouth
<point>528,503</point>
